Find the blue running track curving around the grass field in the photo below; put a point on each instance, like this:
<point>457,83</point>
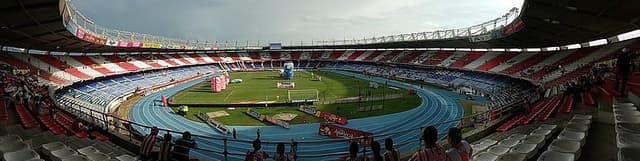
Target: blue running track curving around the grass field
<point>437,106</point>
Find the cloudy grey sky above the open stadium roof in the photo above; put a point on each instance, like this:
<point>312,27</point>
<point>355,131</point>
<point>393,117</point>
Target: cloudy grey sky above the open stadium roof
<point>289,20</point>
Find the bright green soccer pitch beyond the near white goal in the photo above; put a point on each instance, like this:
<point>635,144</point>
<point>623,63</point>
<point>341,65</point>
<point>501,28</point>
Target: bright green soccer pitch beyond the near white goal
<point>261,87</point>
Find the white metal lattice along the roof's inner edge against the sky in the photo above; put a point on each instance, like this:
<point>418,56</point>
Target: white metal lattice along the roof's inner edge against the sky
<point>80,21</point>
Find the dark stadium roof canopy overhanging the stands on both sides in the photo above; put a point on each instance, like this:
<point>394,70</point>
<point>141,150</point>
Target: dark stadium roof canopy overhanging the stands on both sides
<point>39,24</point>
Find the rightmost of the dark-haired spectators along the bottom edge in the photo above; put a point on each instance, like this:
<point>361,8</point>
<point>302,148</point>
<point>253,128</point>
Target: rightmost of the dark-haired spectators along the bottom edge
<point>460,149</point>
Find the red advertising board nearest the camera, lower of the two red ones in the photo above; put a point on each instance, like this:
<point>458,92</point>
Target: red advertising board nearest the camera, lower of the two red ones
<point>335,131</point>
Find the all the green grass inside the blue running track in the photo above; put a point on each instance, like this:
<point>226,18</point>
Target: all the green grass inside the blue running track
<point>258,84</point>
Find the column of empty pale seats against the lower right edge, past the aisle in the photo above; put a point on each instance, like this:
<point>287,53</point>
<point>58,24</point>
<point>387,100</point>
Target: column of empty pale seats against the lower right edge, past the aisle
<point>627,127</point>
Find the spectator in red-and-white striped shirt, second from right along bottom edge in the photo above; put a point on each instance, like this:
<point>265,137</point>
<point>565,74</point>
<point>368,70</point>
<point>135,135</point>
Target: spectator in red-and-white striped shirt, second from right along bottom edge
<point>431,150</point>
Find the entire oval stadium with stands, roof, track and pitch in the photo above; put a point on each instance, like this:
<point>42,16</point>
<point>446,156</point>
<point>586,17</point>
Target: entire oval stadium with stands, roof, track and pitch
<point>548,80</point>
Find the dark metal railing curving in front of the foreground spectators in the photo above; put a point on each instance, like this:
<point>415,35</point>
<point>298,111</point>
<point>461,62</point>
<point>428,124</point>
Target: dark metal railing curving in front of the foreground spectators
<point>134,131</point>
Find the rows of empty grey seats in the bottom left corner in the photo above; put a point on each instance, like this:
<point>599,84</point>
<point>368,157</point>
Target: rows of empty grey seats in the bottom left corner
<point>19,144</point>
